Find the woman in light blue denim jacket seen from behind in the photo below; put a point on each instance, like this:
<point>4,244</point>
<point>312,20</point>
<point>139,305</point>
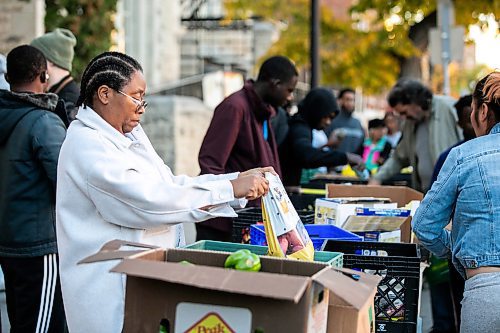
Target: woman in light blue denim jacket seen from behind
<point>468,189</point>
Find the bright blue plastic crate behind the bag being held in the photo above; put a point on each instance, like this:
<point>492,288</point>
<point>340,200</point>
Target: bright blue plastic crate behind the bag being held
<point>319,233</point>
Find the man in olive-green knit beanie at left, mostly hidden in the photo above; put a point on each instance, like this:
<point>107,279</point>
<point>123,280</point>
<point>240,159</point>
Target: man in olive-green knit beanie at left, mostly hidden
<point>57,46</point>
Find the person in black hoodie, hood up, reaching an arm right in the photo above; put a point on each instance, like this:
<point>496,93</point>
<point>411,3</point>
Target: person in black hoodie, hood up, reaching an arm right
<point>316,111</point>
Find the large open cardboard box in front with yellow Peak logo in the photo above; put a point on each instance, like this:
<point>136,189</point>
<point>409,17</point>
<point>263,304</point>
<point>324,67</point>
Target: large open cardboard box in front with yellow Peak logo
<point>286,296</point>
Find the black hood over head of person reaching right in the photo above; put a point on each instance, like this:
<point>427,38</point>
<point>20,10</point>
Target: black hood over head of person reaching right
<point>318,104</point>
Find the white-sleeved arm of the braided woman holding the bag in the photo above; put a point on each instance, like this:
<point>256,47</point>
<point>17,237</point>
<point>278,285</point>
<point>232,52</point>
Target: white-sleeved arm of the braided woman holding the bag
<point>127,196</point>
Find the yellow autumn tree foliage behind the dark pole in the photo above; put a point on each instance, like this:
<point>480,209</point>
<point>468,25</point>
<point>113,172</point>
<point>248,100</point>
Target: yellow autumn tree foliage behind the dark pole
<point>371,49</point>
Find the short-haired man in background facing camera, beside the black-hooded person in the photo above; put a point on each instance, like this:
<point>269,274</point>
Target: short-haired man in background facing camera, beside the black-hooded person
<point>345,127</point>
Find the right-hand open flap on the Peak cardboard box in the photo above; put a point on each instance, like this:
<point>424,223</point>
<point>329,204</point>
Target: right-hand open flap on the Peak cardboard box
<point>353,287</point>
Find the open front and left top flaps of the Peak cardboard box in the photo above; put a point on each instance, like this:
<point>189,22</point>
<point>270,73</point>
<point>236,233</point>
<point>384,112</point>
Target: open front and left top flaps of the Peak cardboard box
<point>149,262</point>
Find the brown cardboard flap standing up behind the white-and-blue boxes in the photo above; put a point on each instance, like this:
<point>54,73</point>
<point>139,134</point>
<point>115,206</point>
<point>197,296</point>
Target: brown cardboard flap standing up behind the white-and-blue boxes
<point>400,194</point>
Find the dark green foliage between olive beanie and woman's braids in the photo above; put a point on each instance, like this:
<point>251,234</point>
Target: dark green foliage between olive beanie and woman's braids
<point>90,20</point>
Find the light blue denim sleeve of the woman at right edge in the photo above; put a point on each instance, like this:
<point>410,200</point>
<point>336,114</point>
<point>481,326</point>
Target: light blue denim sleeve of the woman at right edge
<point>436,209</point>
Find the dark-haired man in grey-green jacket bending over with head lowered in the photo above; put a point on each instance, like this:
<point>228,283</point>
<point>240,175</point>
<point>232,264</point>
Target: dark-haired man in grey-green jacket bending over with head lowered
<point>430,128</point>
